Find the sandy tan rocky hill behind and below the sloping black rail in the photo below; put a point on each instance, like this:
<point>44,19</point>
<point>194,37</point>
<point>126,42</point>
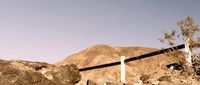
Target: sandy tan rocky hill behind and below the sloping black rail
<point>149,71</point>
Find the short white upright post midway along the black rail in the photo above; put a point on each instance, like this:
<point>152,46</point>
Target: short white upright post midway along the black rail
<point>123,75</point>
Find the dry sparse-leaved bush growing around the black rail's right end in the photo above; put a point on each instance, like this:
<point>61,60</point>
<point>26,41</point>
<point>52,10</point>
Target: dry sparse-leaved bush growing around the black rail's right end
<point>189,31</point>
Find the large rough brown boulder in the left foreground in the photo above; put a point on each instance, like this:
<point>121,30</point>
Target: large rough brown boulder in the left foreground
<point>37,73</point>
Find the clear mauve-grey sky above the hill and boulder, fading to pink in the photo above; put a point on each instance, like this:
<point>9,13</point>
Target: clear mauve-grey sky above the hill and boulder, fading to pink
<point>50,30</point>
